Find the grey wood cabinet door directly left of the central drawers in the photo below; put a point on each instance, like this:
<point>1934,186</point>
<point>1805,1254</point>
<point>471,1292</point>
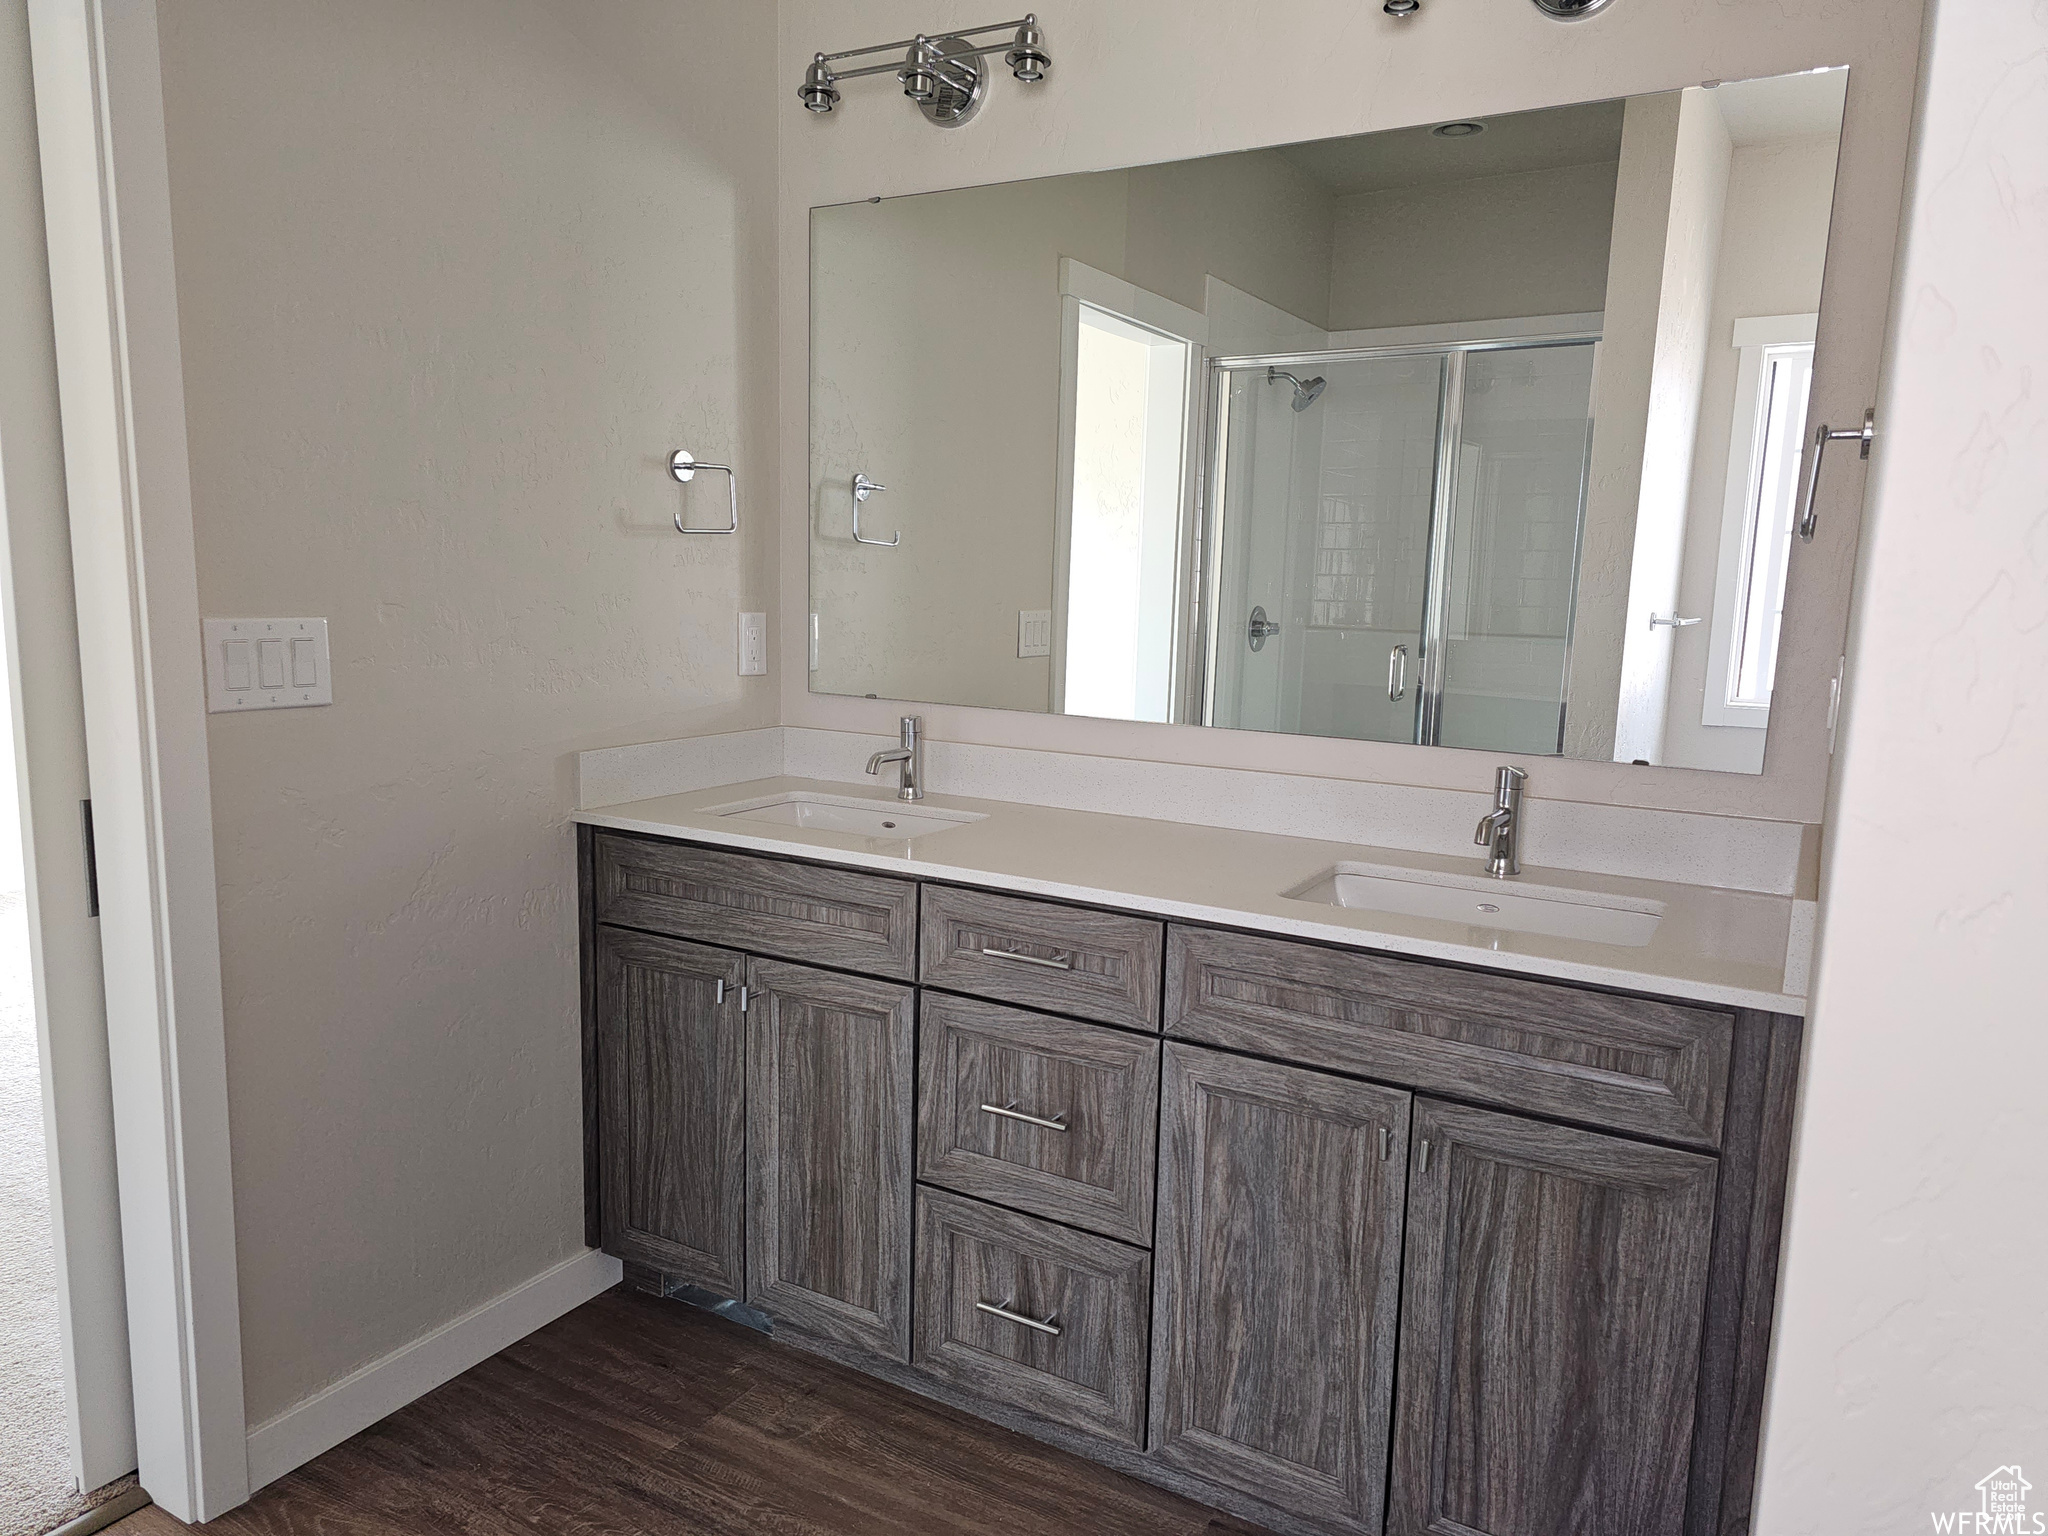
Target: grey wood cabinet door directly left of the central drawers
<point>830,1154</point>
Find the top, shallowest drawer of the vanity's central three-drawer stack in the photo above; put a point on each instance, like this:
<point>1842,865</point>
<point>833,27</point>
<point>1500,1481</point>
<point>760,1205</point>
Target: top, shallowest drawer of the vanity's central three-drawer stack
<point>1064,959</point>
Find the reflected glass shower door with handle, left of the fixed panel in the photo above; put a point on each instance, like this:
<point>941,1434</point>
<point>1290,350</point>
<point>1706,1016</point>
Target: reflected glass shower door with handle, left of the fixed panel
<point>1320,542</point>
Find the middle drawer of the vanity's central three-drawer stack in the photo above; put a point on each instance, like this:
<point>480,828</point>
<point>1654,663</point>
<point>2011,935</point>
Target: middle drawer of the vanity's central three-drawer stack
<point>1039,1113</point>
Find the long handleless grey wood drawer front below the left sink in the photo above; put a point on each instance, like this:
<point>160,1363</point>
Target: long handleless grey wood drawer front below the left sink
<point>800,912</point>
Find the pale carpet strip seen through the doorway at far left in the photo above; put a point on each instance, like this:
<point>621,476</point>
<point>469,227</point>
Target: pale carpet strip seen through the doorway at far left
<point>36,1463</point>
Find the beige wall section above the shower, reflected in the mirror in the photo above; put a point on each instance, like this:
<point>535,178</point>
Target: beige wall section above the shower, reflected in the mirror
<point>1490,249</point>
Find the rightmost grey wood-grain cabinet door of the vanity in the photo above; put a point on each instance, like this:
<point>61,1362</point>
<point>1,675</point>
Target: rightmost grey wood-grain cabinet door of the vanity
<point>1551,1330</point>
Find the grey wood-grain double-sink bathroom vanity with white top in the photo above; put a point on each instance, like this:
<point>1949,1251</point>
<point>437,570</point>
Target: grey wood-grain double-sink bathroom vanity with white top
<point>1293,1218</point>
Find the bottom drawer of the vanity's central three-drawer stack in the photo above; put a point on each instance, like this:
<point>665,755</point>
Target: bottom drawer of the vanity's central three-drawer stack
<point>1035,1316</point>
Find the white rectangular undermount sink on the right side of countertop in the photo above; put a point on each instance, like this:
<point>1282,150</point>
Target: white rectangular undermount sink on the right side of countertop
<point>1482,902</point>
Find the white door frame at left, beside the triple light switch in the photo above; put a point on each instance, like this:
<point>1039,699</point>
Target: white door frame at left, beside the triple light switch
<point>99,101</point>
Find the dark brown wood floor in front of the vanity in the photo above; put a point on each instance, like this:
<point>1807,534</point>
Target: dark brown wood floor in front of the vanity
<point>648,1416</point>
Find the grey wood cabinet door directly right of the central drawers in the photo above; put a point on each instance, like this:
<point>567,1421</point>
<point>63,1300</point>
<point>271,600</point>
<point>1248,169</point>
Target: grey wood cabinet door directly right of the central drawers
<point>1277,1283</point>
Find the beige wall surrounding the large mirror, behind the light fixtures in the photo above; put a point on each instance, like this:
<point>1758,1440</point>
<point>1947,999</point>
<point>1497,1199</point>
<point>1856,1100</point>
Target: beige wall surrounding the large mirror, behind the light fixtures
<point>1150,81</point>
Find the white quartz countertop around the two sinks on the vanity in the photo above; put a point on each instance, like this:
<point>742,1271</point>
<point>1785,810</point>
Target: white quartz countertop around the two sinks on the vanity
<point>1713,947</point>
